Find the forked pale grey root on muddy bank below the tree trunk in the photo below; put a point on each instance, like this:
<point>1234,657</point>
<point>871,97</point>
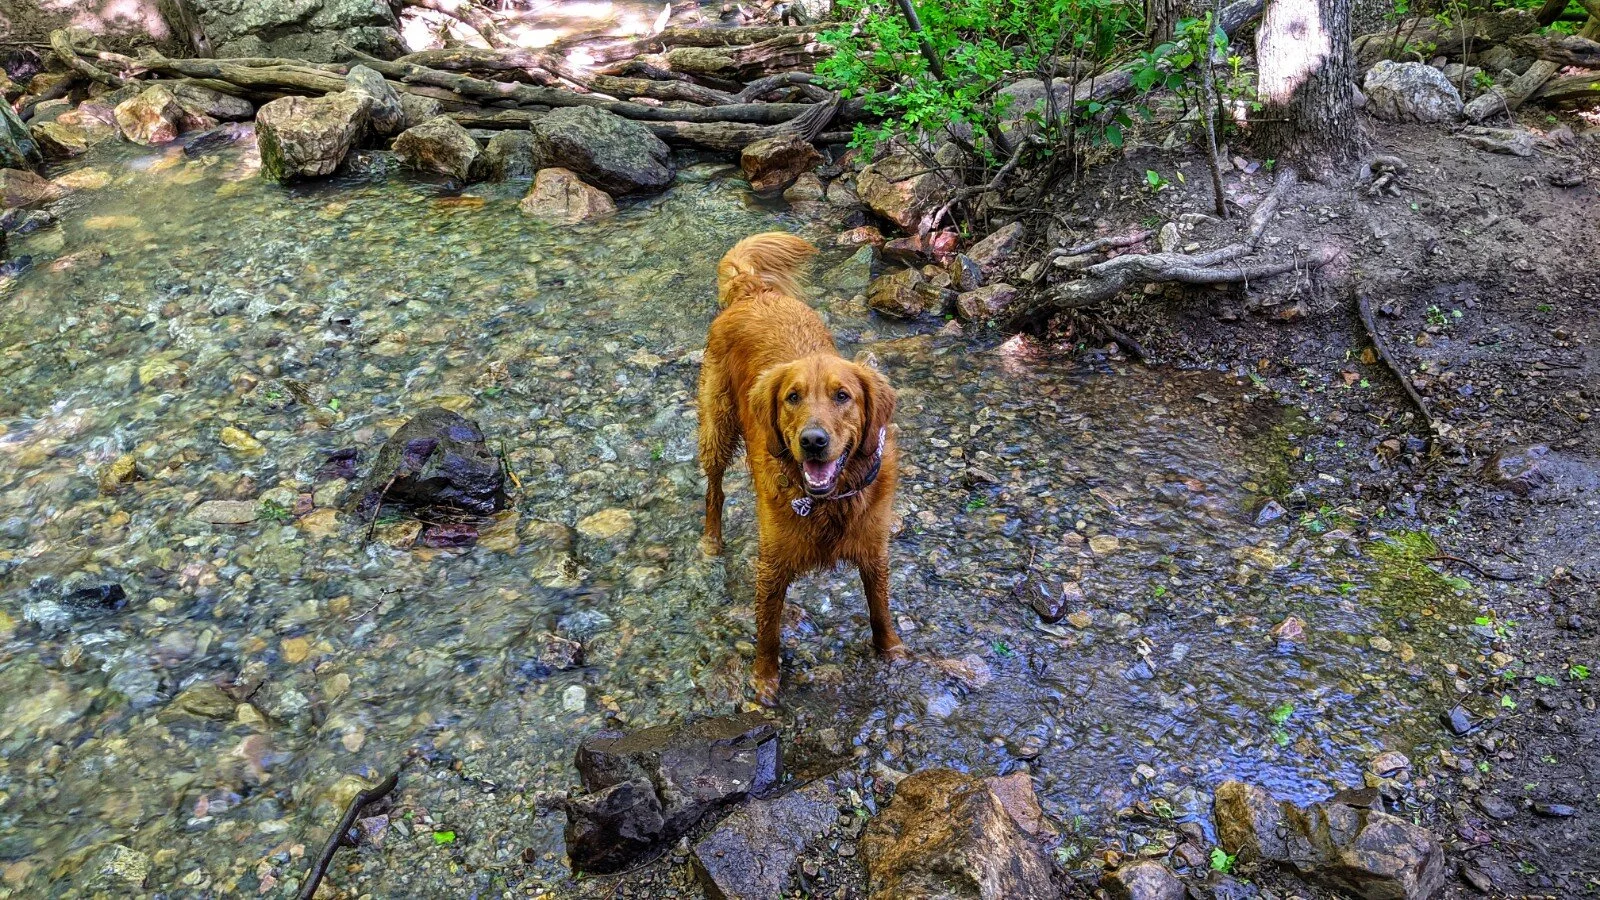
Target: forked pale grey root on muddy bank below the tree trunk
<point>1108,279</point>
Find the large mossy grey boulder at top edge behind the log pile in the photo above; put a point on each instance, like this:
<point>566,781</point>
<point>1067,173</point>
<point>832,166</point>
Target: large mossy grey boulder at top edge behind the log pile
<point>303,30</point>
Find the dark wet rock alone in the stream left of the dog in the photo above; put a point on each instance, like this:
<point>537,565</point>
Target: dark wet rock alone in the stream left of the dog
<point>436,460</point>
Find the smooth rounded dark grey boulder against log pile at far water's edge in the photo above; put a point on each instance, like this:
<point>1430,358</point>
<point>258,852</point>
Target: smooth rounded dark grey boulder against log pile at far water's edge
<point>615,155</point>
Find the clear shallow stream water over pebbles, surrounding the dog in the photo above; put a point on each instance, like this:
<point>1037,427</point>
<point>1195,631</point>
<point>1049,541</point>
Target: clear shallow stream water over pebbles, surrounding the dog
<point>190,297</point>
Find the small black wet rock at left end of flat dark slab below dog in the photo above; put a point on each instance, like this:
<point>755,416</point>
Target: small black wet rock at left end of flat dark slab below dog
<point>615,827</point>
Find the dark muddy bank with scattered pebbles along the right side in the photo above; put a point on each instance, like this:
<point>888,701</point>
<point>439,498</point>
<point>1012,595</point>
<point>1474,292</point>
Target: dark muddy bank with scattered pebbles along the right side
<point>1484,279</point>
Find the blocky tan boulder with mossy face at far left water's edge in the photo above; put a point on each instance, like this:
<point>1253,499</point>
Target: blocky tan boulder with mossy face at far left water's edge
<point>310,137</point>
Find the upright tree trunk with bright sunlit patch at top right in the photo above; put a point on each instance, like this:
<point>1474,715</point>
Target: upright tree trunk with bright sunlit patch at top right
<point>1308,86</point>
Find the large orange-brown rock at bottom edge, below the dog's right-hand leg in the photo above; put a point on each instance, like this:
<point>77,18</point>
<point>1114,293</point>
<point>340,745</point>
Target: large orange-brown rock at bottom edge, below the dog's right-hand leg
<point>946,837</point>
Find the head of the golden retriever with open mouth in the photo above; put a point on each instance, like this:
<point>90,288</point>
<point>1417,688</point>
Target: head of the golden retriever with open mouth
<point>825,414</point>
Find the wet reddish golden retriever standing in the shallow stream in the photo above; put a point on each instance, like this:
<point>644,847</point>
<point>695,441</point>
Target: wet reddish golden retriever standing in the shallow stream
<point>817,432</point>
